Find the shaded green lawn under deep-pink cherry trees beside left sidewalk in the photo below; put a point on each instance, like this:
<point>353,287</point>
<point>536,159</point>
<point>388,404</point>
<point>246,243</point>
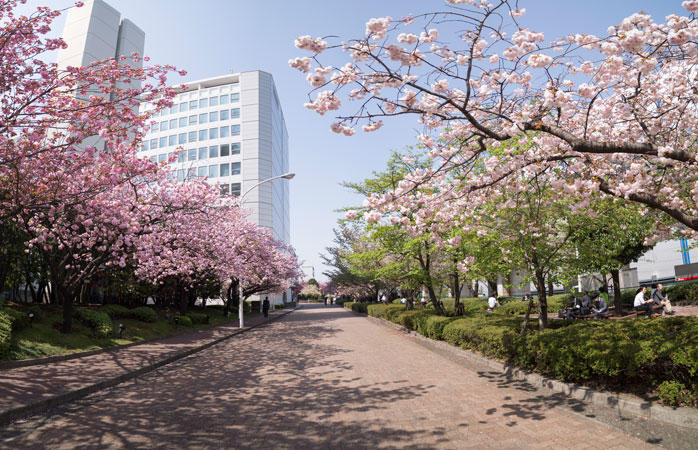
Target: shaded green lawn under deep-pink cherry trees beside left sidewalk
<point>44,338</point>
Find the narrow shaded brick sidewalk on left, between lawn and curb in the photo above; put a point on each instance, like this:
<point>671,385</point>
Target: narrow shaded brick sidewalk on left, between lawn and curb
<point>28,388</point>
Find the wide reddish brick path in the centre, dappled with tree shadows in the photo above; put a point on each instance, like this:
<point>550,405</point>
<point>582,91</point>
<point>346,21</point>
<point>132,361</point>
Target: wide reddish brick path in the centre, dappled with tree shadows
<point>324,377</point>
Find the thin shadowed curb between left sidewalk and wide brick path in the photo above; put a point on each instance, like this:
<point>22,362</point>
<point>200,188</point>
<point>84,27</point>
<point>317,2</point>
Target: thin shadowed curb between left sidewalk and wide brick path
<point>10,415</point>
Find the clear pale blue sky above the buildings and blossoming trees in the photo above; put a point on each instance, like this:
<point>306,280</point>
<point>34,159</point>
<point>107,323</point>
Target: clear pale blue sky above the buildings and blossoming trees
<point>213,37</point>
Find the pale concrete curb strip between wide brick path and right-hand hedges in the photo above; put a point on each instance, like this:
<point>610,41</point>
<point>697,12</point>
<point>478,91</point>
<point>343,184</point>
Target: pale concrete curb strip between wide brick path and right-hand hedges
<point>624,404</point>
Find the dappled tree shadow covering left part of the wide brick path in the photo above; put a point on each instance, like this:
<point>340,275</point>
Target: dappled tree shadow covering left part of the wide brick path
<point>277,386</point>
